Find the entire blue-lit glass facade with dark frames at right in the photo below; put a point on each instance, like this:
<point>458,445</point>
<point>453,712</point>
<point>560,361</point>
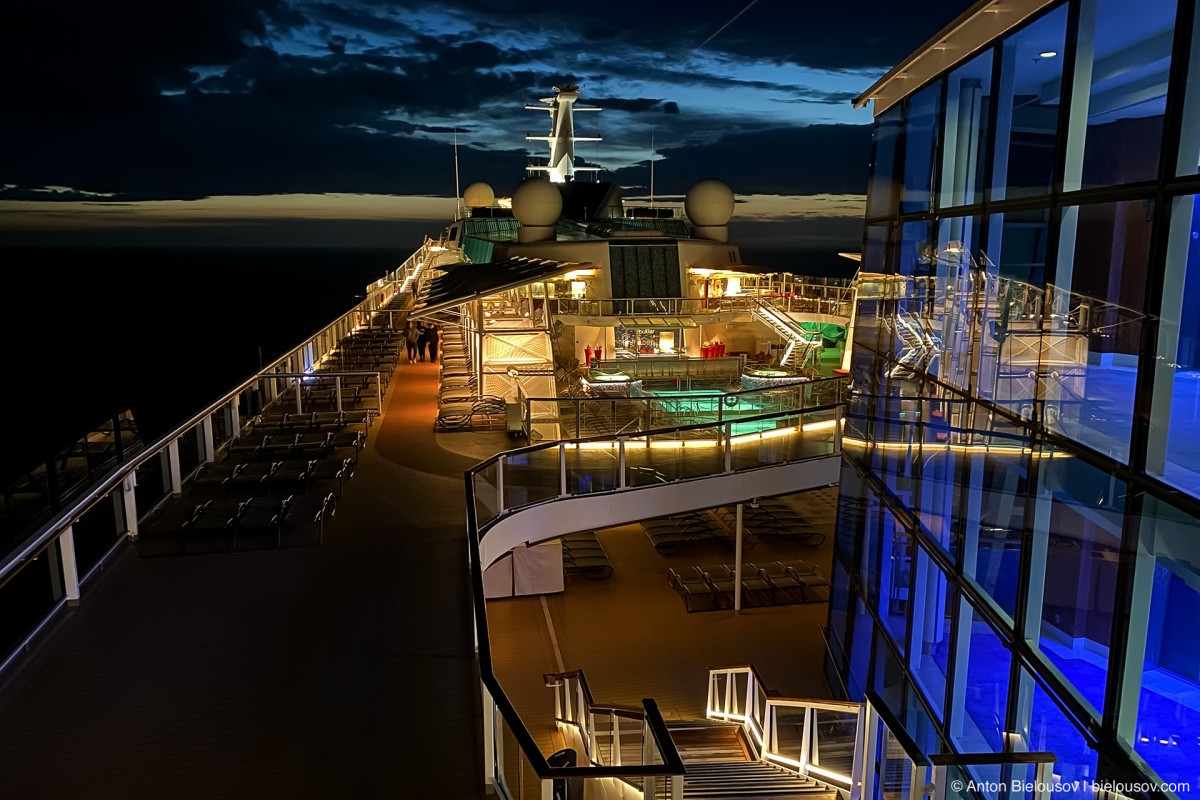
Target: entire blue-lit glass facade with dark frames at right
<point>1022,572</point>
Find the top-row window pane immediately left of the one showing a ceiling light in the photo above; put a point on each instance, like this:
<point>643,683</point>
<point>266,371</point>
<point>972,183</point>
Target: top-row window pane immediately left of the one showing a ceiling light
<point>968,100</point>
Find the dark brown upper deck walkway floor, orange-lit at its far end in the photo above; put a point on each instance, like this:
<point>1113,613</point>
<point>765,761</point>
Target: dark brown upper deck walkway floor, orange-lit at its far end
<point>340,671</point>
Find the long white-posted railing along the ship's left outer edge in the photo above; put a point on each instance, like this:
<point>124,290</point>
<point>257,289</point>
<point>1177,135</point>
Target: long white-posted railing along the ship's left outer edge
<point>58,561</point>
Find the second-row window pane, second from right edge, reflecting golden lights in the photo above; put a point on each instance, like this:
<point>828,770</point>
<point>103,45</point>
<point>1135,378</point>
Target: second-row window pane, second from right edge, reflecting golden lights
<point>1091,336</point>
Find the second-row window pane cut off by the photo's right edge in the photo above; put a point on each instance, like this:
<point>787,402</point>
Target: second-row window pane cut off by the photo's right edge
<point>1174,453</point>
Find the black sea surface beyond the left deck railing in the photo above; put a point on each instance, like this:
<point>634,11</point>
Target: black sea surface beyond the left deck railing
<point>161,333</point>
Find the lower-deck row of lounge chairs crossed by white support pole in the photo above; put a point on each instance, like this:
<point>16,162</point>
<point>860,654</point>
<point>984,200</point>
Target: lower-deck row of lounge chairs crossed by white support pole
<point>769,584</point>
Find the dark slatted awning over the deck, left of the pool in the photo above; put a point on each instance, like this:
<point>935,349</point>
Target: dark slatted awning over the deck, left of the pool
<point>463,282</point>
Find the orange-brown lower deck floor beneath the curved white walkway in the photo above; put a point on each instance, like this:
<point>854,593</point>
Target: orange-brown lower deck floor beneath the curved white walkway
<point>634,640</point>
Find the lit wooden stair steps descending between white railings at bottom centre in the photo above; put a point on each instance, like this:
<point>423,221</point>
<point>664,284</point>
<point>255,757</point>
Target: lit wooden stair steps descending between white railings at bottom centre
<point>719,767</point>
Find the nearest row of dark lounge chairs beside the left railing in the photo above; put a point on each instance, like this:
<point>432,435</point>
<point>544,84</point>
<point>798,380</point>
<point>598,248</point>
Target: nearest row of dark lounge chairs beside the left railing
<point>230,525</point>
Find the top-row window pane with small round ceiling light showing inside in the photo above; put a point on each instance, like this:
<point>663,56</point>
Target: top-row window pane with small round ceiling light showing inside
<point>1028,119</point>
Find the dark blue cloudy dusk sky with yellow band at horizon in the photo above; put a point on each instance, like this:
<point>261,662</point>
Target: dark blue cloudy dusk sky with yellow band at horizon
<point>296,122</point>
